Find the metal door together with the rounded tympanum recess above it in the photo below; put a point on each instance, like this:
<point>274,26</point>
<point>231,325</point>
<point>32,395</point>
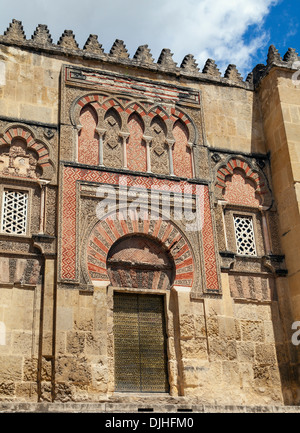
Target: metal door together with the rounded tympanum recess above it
<point>136,265</point>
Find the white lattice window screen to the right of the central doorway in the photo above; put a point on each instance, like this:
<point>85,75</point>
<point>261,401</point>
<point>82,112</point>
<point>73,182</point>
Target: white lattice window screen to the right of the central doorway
<point>244,235</point>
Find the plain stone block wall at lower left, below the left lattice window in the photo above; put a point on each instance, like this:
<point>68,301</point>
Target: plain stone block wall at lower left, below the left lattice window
<point>19,346</point>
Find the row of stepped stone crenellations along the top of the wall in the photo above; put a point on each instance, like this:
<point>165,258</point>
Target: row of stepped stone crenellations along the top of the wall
<point>42,38</point>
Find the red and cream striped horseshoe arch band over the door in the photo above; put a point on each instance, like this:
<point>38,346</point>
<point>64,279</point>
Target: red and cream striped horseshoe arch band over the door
<point>163,237</point>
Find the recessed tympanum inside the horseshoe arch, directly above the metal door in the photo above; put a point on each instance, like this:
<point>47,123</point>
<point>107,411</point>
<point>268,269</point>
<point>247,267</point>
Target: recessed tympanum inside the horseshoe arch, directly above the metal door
<point>140,262</point>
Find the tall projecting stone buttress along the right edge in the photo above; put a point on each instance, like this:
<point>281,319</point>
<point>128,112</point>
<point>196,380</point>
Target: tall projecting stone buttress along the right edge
<point>280,103</point>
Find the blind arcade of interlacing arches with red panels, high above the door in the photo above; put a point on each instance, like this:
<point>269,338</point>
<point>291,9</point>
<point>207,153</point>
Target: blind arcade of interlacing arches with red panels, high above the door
<point>134,137</point>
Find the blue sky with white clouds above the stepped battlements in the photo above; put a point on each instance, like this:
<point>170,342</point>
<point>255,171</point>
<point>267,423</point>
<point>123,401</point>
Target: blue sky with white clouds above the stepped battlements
<point>228,31</point>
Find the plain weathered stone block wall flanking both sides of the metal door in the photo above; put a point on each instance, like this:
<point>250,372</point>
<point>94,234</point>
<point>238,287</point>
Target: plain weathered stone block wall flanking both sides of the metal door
<point>220,352</point>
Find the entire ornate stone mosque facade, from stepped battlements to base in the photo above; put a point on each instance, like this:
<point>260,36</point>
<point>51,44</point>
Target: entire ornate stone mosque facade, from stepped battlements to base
<point>150,227</point>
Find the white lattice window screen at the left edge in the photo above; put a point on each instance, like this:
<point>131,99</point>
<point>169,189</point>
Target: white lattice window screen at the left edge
<point>14,215</point>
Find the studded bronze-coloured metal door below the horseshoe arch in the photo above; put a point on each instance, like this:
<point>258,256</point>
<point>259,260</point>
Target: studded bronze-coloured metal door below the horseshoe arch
<point>140,343</point>
